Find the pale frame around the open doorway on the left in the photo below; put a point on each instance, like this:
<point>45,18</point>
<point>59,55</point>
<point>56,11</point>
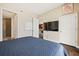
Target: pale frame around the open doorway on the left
<point>13,20</point>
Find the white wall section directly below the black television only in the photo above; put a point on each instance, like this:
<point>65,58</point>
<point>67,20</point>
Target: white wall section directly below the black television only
<point>51,36</point>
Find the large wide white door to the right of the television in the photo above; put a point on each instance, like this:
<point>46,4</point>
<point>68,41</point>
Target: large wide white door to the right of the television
<point>67,29</point>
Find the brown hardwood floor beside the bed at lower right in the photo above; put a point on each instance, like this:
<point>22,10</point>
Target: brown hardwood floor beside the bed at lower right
<point>72,51</point>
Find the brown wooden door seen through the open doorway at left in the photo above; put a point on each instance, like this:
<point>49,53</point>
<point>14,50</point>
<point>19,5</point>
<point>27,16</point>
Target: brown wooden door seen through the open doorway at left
<point>6,28</point>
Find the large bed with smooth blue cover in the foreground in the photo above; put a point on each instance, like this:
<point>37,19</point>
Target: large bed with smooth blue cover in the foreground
<point>31,46</point>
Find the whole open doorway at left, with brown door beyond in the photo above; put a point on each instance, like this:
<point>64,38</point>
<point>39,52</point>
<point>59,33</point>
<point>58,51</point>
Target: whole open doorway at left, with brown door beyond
<point>9,25</point>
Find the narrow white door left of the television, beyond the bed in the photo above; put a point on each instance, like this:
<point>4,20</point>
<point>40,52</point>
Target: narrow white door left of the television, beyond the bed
<point>35,26</point>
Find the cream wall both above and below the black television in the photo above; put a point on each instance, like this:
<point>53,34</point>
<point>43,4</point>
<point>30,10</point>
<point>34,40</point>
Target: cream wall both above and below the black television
<point>52,15</point>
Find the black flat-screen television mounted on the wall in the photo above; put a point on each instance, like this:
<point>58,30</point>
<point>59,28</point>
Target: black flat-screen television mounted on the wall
<point>51,26</point>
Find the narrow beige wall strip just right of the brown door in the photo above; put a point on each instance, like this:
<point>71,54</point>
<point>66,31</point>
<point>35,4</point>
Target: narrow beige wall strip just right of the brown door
<point>14,25</point>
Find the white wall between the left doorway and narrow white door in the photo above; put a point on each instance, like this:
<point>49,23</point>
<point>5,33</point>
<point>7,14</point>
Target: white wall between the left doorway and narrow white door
<point>22,19</point>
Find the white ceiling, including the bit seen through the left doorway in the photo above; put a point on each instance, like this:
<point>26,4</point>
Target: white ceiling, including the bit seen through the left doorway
<point>31,9</point>
